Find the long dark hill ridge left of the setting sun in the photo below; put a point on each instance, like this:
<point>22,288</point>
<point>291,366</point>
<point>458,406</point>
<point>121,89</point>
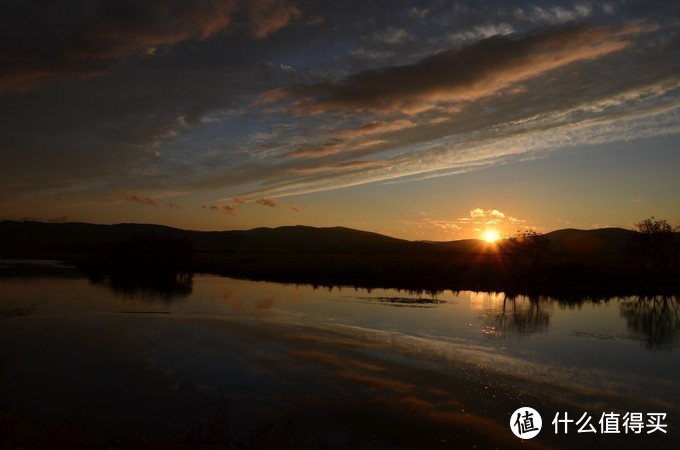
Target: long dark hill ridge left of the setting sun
<point>45,238</point>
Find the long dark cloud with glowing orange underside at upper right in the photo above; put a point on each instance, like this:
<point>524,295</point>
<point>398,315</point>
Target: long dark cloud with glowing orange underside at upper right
<point>459,74</point>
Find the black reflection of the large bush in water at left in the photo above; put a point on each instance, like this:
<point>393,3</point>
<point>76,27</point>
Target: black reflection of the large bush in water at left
<point>166,288</point>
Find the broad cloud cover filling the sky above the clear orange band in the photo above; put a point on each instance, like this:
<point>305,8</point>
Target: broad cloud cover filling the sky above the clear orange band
<point>159,97</point>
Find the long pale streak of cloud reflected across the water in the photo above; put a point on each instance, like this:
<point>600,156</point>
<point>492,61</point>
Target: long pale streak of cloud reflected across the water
<point>554,381</point>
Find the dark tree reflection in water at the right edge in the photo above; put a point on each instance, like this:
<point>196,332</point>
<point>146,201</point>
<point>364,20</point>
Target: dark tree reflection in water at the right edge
<point>654,316</point>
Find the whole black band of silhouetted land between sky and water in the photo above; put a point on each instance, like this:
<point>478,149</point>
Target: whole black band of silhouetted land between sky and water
<point>131,257</point>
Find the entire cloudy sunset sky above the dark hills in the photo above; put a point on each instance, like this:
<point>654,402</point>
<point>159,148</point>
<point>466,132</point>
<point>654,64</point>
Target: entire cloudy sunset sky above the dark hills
<point>434,120</point>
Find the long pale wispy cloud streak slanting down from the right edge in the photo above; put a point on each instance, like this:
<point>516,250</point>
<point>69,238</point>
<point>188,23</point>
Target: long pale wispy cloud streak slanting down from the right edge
<point>456,153</point>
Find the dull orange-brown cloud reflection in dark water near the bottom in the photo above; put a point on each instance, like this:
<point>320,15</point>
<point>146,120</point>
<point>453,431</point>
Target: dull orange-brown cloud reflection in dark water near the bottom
<point>403,402</point>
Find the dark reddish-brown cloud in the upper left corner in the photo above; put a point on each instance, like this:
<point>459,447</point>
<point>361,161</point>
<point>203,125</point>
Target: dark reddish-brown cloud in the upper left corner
<point>43,40</point>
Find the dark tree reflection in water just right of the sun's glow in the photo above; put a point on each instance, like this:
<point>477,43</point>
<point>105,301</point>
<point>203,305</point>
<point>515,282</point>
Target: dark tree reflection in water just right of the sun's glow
<point>523,315</point>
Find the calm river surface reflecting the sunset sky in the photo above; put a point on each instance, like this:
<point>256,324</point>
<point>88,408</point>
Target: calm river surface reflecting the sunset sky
<point>385,368</point>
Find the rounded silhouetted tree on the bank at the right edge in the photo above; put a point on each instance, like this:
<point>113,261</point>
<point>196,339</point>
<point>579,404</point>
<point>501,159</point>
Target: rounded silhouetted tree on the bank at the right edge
<point>655,247</point>
